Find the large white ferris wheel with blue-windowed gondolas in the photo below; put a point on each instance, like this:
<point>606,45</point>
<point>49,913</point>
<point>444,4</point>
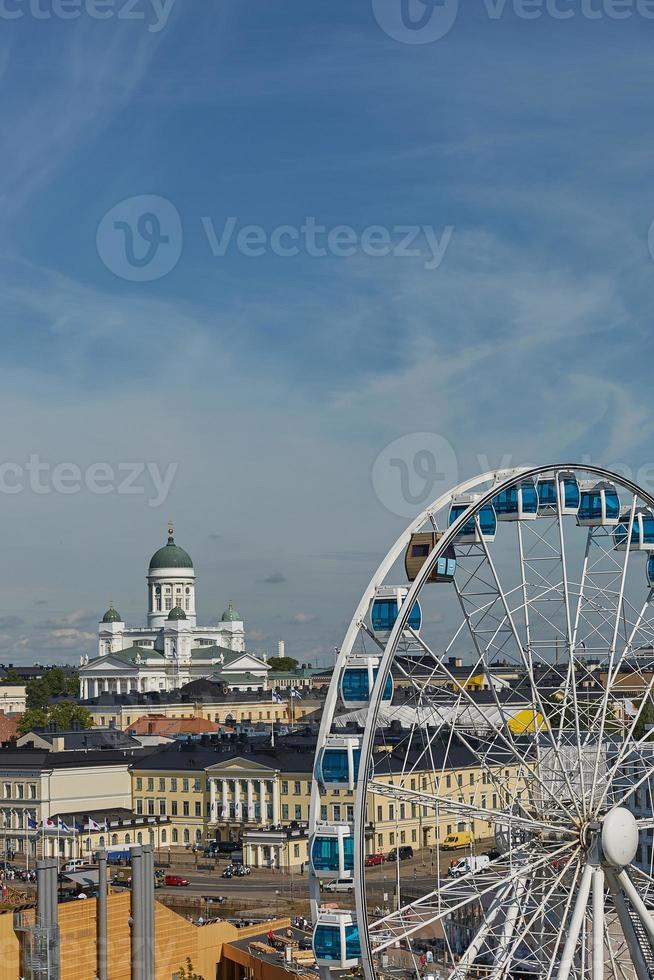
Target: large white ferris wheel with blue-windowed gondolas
<point>487,721</point>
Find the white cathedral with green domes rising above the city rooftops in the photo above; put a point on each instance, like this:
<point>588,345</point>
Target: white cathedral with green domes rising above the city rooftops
<point>172,649</point>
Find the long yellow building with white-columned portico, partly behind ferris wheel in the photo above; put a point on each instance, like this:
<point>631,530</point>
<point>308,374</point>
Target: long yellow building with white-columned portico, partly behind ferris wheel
<point>226,789</point>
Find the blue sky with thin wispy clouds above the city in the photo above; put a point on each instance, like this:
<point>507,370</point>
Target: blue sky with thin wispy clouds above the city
<point>271,384</point>
